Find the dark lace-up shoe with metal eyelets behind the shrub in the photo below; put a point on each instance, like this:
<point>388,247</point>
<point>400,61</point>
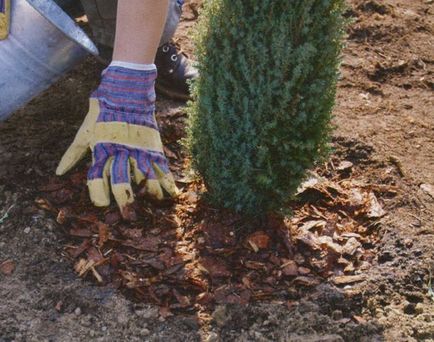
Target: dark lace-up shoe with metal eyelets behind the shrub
<point>175,71</point>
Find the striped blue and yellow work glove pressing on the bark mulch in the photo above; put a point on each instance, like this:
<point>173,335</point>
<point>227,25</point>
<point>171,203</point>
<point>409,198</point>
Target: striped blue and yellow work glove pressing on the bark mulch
<point>122,133</point>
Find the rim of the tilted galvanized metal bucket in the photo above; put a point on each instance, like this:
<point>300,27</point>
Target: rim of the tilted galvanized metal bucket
<point>56,16</point>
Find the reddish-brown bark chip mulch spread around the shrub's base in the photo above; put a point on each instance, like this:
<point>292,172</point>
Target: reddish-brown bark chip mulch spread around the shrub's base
<point>186,255</point>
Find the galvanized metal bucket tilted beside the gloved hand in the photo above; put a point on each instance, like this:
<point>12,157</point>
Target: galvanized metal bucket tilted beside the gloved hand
<point>43,43</point>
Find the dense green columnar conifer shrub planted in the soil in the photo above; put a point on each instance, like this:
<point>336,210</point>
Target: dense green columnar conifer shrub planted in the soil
<point>262,104</point>
